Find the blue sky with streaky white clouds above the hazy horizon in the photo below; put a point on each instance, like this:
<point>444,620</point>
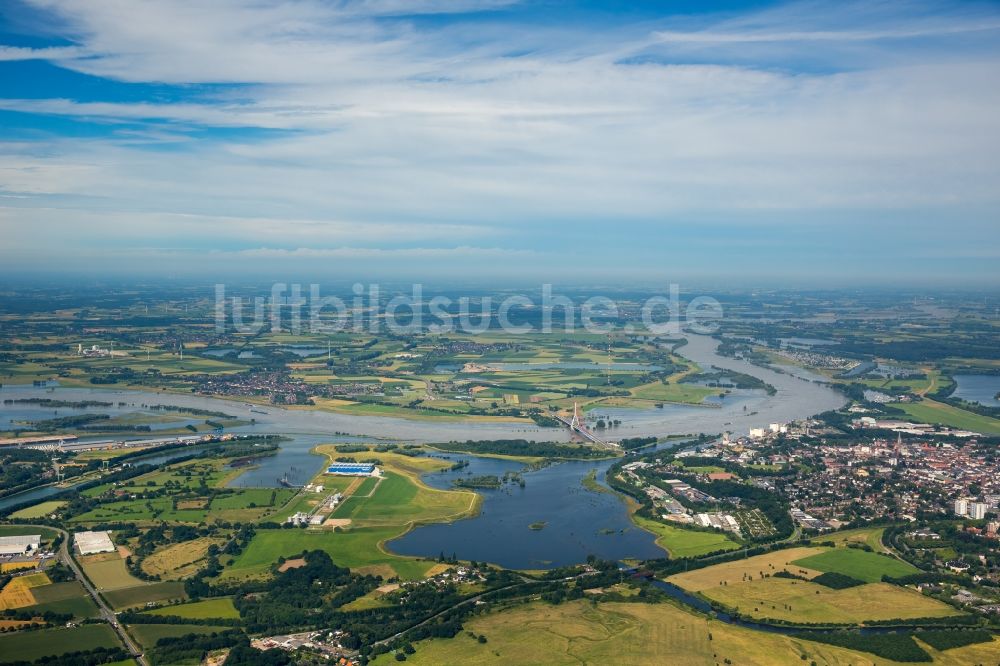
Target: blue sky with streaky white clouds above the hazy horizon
<point>804,143</point>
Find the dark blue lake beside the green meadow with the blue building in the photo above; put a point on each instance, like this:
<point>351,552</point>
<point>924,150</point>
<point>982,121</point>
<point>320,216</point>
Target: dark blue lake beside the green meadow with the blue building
<point>577,522</point>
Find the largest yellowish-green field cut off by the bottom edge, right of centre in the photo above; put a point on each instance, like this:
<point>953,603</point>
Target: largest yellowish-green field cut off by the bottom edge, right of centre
<point>619,633</point>
